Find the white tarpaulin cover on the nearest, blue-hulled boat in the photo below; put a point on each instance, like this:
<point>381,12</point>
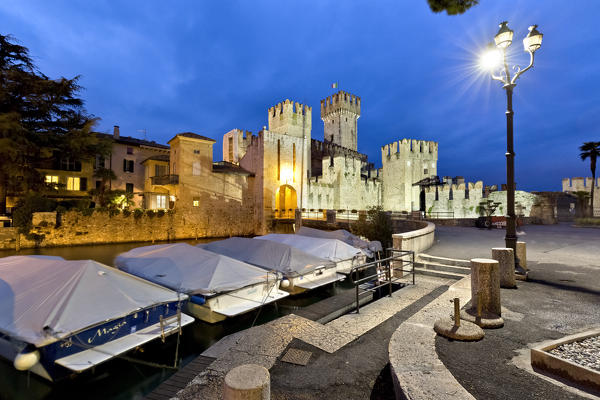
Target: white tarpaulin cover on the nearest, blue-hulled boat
<point>44,298</point>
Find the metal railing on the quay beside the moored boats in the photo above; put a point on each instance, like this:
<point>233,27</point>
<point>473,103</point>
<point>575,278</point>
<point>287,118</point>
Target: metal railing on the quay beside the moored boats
<point>384,274</point>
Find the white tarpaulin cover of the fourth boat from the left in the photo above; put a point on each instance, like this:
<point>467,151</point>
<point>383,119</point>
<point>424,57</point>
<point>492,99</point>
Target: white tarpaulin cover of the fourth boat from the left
<point>330,249</point>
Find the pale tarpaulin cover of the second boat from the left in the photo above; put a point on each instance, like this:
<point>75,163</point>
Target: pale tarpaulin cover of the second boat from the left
<point>189,269</point>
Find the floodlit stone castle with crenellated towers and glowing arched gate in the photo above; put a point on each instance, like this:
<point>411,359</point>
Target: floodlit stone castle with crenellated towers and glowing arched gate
<point>292,167</point>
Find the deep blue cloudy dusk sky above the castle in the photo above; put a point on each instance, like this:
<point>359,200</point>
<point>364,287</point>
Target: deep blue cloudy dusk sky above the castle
<point>211,66</point>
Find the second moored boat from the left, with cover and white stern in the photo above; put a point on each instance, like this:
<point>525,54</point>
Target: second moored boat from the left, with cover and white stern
<point>218,286</point>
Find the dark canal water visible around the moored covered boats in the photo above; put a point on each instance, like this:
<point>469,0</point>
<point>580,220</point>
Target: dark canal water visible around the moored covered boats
<point>121,379</point>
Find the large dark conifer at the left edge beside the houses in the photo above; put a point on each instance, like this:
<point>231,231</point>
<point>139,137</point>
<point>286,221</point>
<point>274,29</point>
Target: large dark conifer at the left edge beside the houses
<point>38,116</point>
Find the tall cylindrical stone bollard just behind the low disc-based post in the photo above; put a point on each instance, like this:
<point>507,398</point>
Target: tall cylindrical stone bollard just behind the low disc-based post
<point>485,285</point>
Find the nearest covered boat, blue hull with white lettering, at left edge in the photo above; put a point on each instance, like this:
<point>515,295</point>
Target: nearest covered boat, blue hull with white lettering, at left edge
<point>60,317</point>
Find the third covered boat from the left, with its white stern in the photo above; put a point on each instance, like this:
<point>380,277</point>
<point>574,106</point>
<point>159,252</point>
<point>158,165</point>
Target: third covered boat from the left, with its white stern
<point>301,271</point>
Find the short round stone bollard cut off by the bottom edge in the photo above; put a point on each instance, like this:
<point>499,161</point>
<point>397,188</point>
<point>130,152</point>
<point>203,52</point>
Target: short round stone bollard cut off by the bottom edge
<point>247,382</point>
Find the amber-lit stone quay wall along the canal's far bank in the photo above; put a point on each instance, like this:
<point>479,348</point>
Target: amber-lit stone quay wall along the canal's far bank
<point>74,228</point>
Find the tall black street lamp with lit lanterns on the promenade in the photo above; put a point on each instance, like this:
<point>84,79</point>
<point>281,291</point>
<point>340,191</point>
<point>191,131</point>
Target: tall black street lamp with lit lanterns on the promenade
<point>494,59</point>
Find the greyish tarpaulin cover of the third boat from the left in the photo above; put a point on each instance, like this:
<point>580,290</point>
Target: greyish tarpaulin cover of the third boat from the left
<point>269,255</point>
